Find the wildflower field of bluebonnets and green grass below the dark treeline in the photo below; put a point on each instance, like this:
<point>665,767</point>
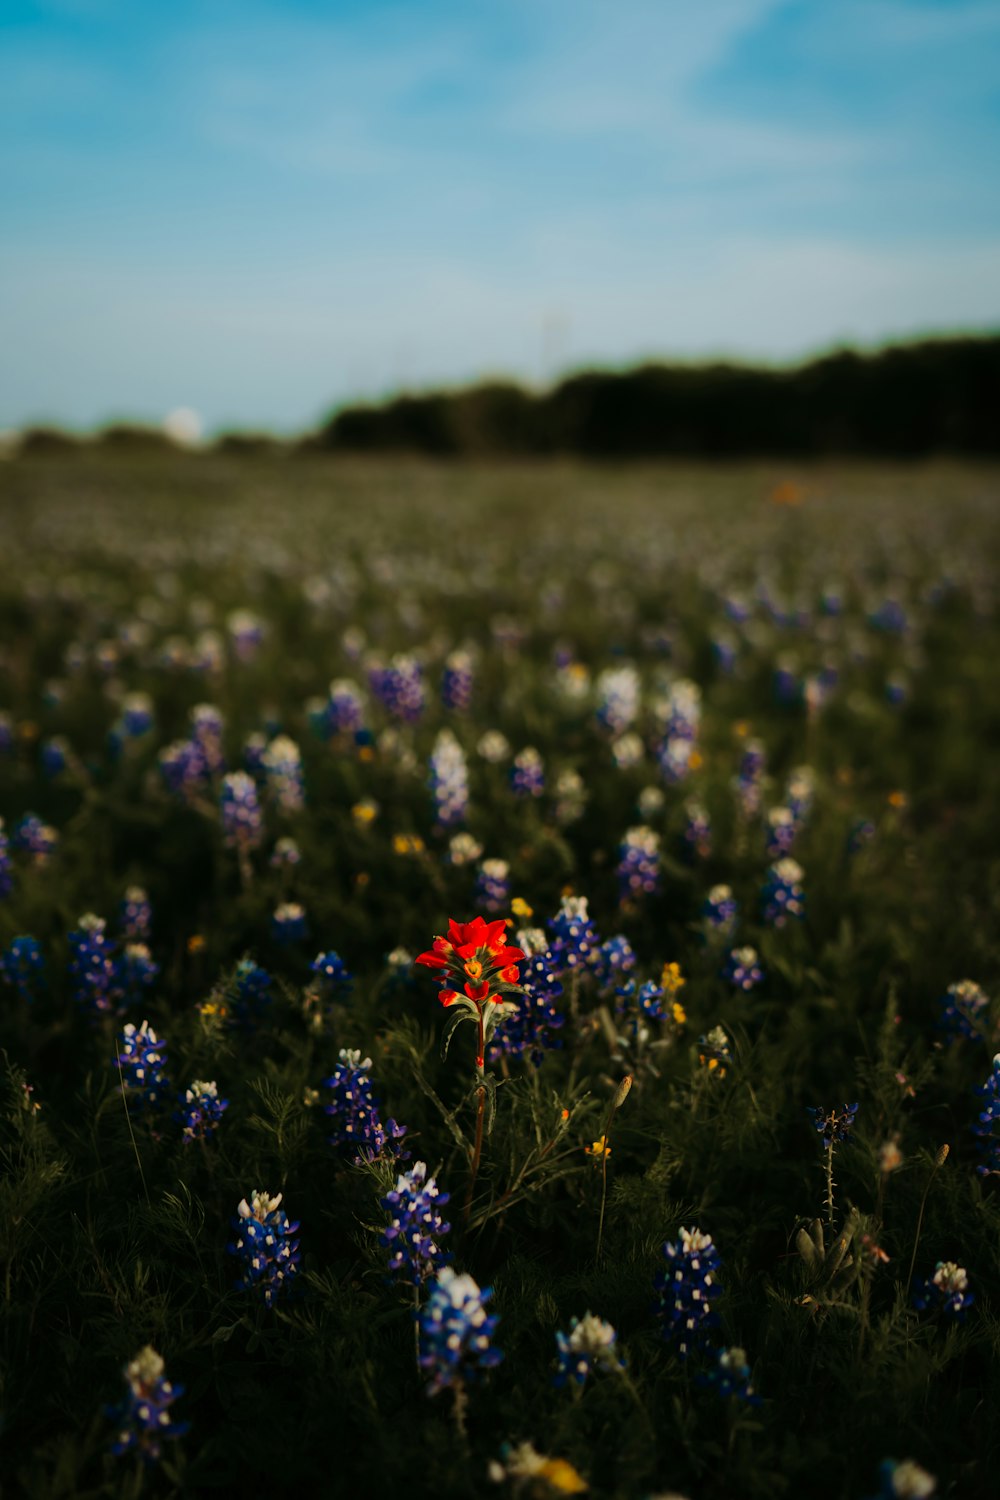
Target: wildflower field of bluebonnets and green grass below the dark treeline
<point>500,979</point>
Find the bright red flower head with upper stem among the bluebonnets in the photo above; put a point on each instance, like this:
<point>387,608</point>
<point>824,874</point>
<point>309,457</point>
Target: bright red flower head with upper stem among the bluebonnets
<point>478,958</point>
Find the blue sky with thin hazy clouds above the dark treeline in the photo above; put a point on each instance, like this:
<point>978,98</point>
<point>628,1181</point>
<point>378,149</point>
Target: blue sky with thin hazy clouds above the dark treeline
<point>263,211</point>
